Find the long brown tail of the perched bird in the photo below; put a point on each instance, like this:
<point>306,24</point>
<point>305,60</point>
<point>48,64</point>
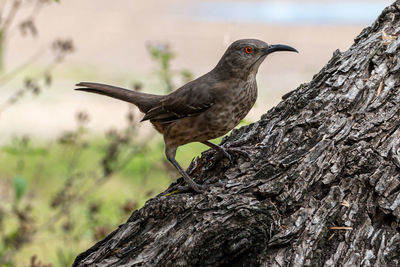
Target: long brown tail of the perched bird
<point>142,100</point>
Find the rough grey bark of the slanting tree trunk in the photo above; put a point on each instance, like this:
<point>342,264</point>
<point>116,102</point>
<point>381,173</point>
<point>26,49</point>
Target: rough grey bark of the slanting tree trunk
<point>327,156</point>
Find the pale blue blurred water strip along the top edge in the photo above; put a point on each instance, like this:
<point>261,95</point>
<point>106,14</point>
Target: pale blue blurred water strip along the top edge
<point>338,12</point>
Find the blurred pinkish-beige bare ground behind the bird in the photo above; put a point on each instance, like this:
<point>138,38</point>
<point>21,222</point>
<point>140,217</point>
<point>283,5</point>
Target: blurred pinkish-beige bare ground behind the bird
<point>111,43</point>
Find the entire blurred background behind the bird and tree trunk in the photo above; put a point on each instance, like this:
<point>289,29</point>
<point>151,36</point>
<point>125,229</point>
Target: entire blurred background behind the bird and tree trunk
<point>74,165</point>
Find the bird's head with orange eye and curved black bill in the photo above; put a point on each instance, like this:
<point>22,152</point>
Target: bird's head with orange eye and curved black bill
<point>243,57</point>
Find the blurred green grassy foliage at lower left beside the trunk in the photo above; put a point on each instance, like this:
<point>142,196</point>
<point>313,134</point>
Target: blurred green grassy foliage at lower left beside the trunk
<point>72,202</point>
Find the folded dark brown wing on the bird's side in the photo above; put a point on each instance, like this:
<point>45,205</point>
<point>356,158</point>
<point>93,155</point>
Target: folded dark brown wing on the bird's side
<point>189,100</point>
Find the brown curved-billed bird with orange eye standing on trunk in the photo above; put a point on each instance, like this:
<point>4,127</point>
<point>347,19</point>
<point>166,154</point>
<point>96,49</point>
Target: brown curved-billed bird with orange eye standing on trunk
<point>205,108</point>
